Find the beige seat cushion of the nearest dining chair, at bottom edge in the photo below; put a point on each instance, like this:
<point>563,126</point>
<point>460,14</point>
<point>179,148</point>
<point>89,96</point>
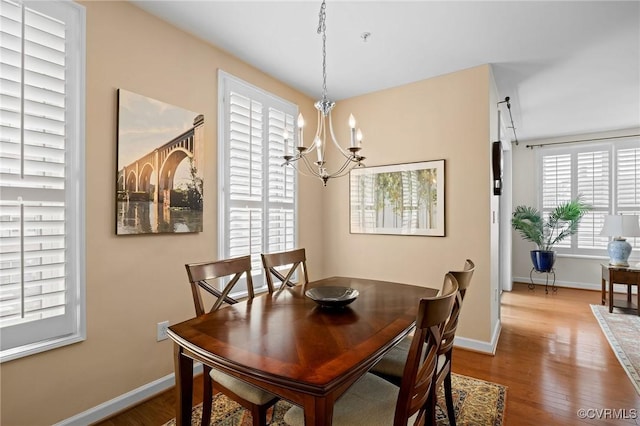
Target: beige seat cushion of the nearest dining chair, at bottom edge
<point>370,401</point>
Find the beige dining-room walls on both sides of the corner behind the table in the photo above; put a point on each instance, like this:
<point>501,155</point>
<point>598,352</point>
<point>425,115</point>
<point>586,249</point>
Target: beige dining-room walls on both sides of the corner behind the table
<point>134,282</point>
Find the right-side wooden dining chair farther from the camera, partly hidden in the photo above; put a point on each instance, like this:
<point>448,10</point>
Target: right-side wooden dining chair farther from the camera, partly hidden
<point>391,366</point>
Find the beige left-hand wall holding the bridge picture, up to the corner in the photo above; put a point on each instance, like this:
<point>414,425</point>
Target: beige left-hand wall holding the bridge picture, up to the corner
<point>133,282</point>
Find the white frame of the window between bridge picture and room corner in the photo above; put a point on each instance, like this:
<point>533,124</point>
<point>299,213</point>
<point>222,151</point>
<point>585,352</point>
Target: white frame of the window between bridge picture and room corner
<point>226,83</point>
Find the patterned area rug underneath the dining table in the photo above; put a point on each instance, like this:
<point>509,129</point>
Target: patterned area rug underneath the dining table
<point>477,402</point>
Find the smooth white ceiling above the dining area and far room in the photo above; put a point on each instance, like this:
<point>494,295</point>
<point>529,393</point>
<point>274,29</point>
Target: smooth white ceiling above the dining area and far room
<point>569,67</point>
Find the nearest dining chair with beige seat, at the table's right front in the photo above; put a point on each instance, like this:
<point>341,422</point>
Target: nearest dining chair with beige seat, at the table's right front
<point>374,401</point>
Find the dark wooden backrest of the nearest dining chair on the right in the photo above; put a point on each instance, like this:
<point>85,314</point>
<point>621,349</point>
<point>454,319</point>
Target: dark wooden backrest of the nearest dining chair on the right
<point>417,387</point>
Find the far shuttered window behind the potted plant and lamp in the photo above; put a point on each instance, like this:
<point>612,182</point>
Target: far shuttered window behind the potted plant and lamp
<point>607,177</point>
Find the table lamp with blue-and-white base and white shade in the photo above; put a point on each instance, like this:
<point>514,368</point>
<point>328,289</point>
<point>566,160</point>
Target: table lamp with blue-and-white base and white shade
<point>620,226</point>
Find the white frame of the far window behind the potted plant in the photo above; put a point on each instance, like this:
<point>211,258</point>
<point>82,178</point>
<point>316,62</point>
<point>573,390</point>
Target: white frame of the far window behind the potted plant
<point>612,147</point>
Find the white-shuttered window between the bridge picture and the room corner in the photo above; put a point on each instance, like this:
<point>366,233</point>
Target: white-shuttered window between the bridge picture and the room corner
<point>256,194</point>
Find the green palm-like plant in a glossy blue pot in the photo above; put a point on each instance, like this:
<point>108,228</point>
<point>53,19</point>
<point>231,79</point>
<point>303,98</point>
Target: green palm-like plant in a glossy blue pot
<point>561,223</point>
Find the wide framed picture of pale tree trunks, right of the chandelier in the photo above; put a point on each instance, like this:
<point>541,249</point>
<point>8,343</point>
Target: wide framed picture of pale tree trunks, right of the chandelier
<point>400,199</point>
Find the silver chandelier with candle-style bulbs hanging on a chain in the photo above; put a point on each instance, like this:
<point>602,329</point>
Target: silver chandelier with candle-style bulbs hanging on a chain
<point>351,155</point>
